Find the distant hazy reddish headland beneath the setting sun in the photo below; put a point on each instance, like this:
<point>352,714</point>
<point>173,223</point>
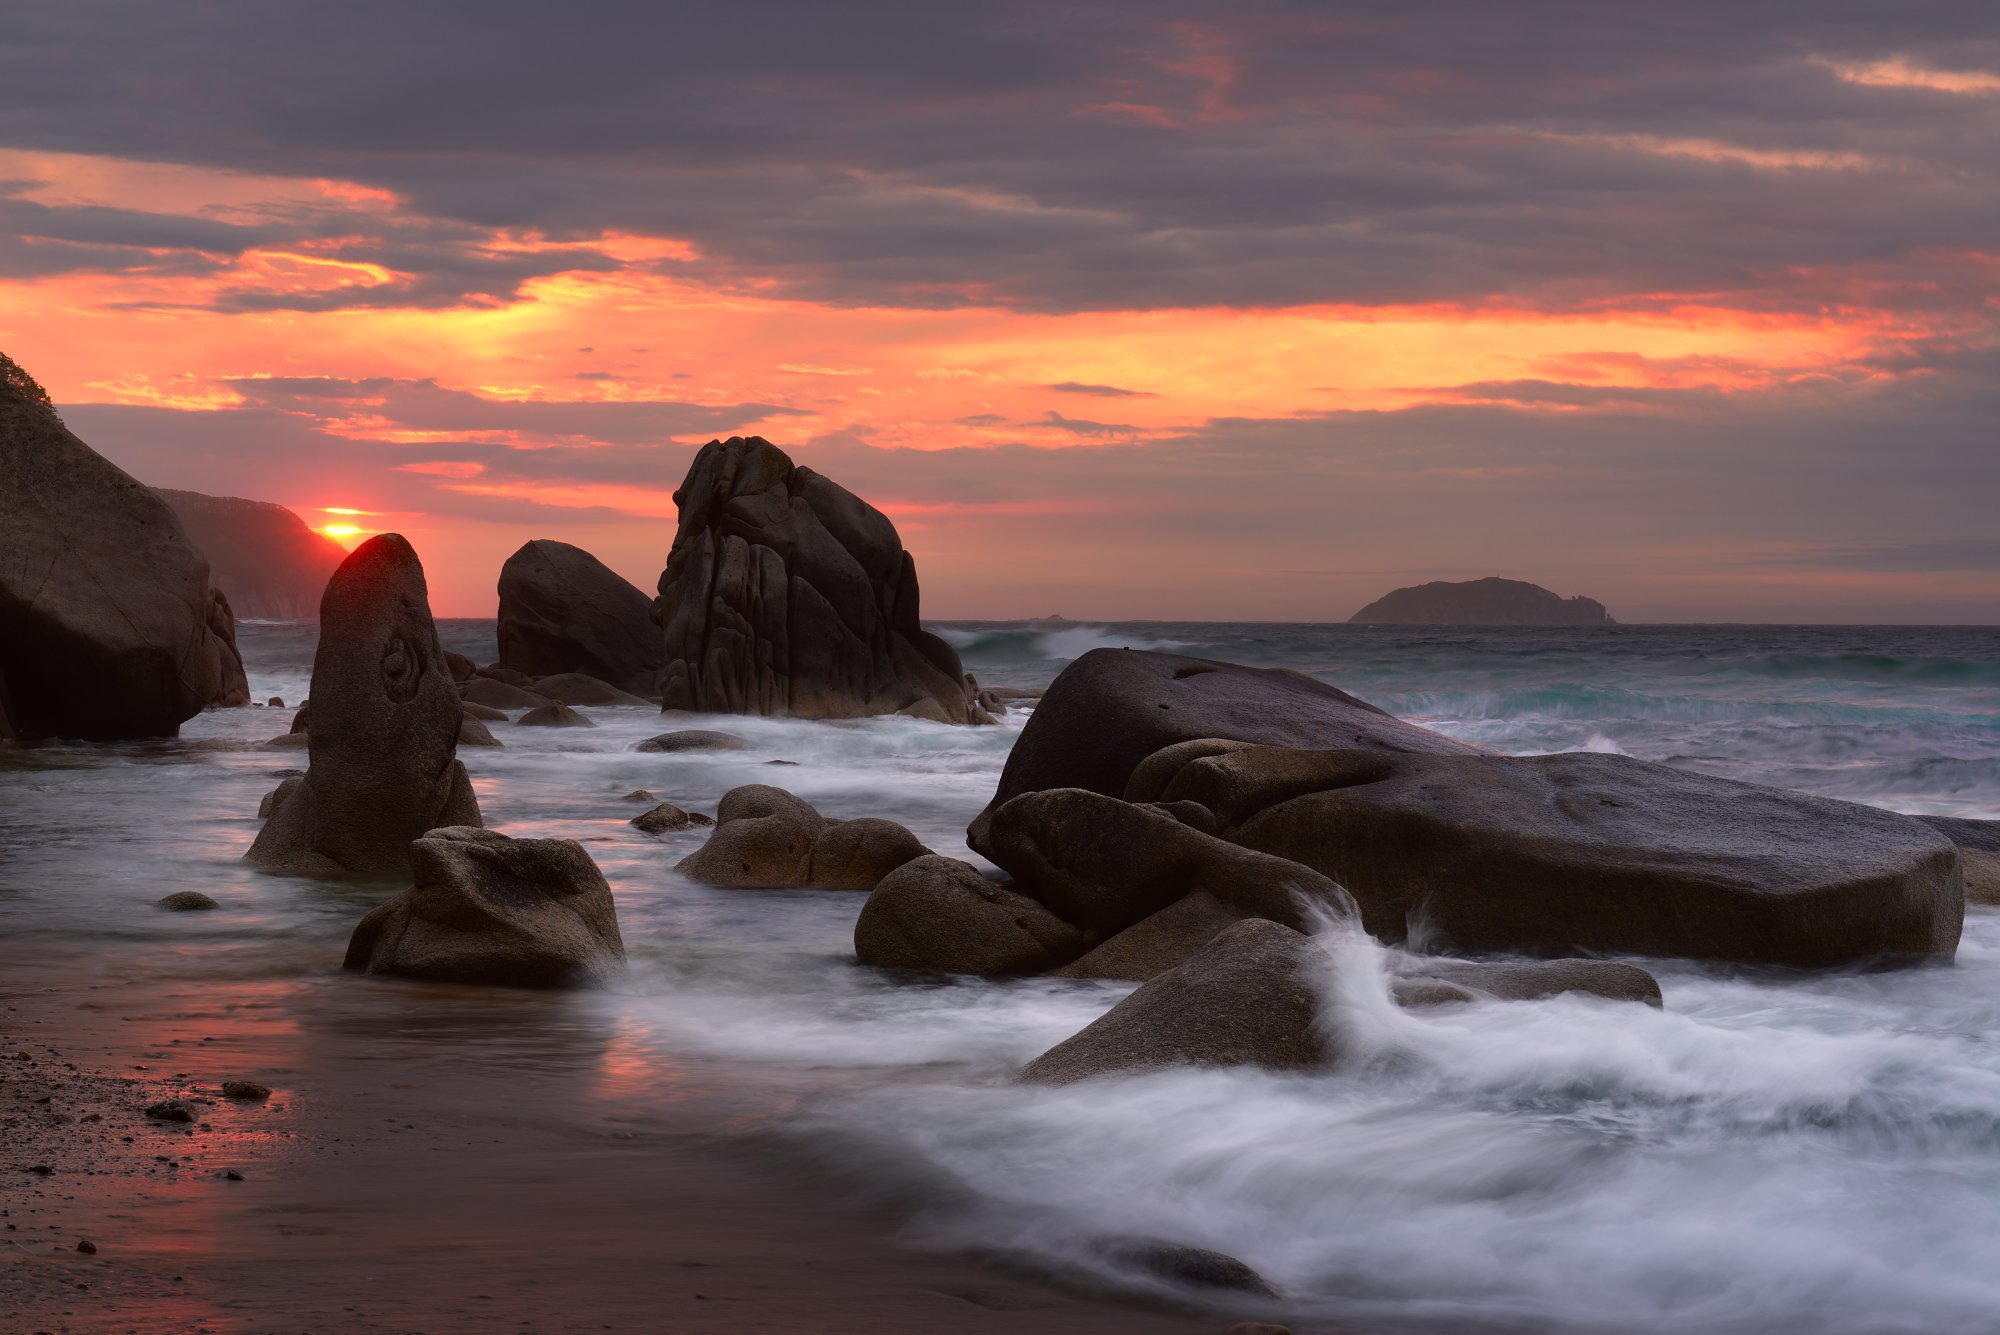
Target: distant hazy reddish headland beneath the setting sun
<point>261,555</point>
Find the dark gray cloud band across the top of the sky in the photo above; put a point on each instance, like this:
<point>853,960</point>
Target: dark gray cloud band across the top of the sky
<point>1069,157</point>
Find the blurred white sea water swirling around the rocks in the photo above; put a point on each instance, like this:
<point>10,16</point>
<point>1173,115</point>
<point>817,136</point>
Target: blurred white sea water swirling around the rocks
<point>1765,1154</point>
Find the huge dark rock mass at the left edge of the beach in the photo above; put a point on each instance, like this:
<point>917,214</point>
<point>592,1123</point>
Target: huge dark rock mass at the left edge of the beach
<point>107,621</point>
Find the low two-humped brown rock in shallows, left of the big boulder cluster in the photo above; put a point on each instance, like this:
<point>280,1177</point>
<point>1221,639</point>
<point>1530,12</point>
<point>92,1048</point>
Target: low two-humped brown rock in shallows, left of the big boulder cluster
<point>771,840</point>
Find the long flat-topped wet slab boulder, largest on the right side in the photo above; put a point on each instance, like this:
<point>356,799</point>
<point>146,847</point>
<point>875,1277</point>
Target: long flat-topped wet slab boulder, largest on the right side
<point>1583,852</point>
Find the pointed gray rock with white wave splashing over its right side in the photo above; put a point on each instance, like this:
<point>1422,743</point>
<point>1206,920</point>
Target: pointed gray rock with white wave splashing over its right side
<point>1247,998</point>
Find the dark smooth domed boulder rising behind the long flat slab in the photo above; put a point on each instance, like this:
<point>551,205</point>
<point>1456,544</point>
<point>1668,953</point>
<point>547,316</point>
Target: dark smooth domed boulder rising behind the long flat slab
<point>1113,708</point>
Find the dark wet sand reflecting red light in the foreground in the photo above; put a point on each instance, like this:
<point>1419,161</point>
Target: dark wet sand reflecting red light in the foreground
<point>399,1182</point>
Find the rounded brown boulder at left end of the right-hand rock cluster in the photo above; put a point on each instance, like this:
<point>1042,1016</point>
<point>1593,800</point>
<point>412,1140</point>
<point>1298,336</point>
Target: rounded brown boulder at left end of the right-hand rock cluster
<point>939,914</point>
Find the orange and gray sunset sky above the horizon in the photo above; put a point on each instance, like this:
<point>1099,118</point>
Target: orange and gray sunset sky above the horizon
<point>1125,311</point>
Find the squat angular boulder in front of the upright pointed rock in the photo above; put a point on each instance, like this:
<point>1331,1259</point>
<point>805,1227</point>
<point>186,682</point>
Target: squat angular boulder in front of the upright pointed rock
<point>495,910</point>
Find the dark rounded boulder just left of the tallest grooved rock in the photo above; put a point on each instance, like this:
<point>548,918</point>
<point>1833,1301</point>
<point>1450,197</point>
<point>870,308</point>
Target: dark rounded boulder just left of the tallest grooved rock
<point>565,611</point>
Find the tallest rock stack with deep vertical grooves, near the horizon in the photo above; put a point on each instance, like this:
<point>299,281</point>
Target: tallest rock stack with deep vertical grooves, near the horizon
<point>789,595</point>
